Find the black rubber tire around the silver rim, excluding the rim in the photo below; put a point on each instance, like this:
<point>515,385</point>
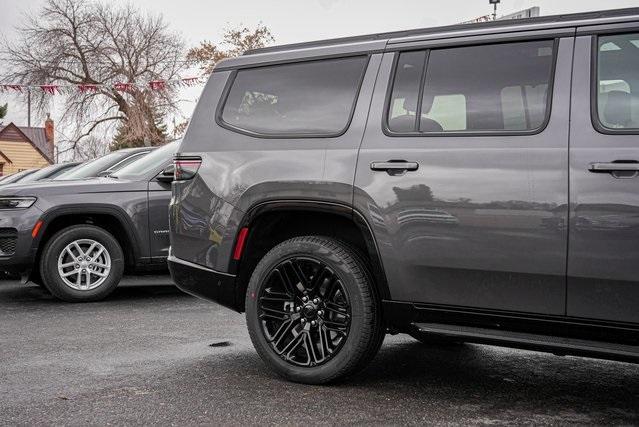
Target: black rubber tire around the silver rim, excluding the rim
<point>52,279</point>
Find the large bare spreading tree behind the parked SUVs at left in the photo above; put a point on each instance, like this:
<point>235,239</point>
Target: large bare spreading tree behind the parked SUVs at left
<point>83,42</point>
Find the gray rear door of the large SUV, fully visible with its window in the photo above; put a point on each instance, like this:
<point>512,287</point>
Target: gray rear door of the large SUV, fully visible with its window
<point>463,172</point>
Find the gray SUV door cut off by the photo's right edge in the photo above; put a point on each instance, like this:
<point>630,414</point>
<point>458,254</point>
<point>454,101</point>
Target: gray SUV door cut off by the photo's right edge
<point>603,263</point>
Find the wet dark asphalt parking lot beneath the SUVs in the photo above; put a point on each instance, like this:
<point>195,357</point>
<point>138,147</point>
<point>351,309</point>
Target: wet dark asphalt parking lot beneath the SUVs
<point>144,356</point>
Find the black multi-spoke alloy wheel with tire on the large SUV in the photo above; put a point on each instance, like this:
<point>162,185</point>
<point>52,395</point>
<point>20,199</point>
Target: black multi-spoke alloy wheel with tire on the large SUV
<point>312,310</point>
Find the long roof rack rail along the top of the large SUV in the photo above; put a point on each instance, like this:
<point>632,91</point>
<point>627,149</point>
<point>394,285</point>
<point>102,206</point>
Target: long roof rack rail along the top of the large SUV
<point>584,16</point>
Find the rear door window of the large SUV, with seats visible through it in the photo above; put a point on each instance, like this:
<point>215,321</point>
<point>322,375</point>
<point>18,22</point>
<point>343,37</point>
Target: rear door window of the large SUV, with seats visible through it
<point>476,89</point>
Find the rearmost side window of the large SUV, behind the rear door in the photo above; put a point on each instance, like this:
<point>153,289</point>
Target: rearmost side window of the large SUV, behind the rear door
<point>314,98</point>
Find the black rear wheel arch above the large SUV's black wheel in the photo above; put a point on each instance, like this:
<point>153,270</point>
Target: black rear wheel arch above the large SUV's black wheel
<point>272,223</point>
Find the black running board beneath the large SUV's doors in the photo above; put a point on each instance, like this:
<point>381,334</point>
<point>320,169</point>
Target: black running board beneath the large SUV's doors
<point>557,345</point>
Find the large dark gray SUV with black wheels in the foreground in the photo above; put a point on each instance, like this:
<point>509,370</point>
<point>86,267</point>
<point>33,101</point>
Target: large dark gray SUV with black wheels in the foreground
<point>474,183</point>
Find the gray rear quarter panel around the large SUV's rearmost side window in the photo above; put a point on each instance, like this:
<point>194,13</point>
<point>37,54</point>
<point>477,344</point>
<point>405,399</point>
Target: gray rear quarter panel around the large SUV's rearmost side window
<point>239,171</point>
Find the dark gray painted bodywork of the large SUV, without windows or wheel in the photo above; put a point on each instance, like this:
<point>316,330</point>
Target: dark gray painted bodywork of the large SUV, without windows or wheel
<point>467,253</point>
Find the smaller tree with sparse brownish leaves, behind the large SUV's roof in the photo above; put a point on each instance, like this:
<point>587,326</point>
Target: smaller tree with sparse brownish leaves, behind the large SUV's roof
<point>235,41</point>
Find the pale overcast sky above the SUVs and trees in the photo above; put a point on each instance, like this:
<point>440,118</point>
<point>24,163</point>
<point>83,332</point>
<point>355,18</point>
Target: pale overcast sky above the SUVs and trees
<point>302,20</point>
